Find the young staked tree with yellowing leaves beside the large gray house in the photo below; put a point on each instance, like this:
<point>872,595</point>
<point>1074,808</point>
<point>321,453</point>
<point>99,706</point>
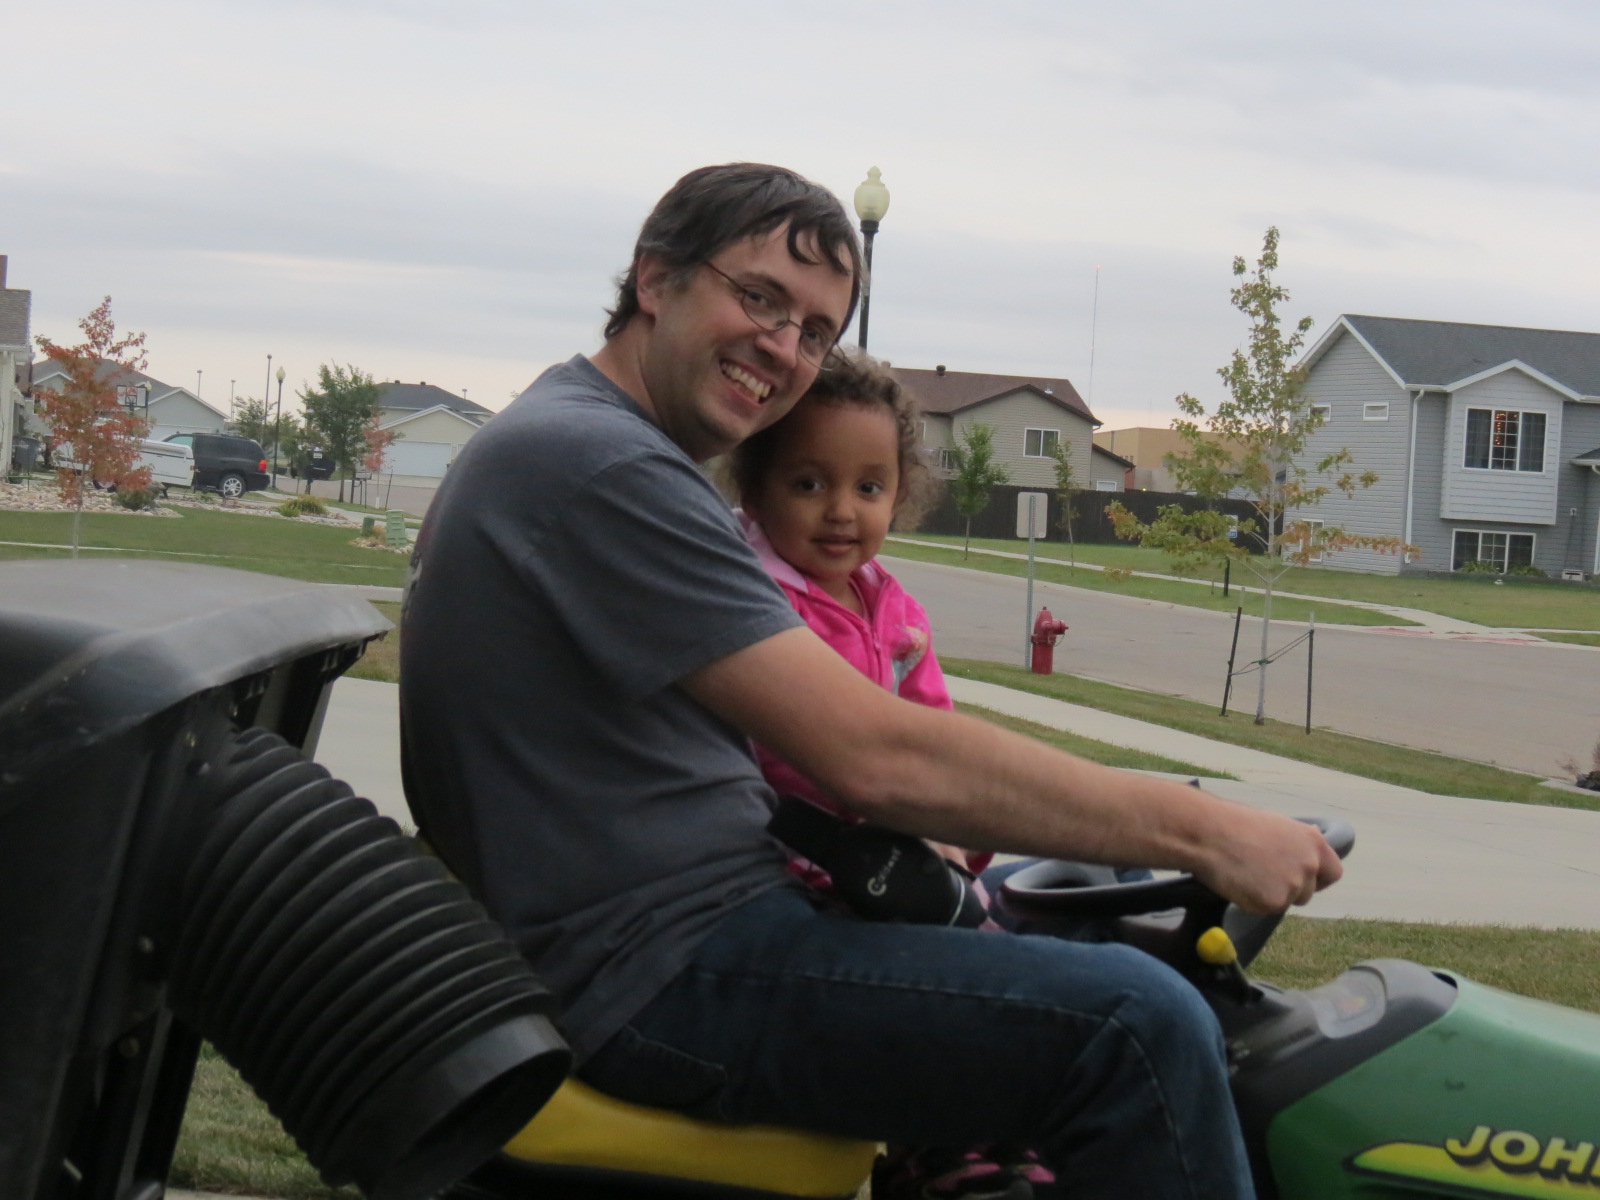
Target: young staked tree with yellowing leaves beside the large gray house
<point>1255,444</point>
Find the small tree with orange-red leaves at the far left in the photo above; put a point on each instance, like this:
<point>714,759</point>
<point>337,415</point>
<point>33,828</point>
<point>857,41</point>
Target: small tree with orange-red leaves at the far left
<point>100,434</point>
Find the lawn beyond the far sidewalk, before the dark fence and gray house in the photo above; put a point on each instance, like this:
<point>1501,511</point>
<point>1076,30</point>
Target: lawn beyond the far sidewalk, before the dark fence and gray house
<point>1514,604</point>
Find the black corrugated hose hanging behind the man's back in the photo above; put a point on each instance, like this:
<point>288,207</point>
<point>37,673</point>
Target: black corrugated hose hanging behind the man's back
<point>358,988</point>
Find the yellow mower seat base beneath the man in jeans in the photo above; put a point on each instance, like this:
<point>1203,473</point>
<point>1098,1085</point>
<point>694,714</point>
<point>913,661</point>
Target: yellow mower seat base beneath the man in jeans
<point>582,1127</point>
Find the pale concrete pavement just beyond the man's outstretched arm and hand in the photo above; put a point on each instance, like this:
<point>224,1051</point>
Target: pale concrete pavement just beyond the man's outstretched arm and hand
<point>1418,857</point>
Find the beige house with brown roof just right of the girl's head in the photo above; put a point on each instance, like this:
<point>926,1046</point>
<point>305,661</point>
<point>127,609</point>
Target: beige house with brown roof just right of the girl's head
<point>1030,417</point>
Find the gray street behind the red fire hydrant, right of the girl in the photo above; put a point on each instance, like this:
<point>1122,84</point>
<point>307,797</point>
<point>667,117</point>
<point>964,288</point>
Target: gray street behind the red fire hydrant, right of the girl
<point>1524,706</point>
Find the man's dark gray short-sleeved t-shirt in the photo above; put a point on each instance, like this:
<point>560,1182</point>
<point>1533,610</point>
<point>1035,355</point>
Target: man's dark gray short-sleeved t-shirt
<point>577,566</point>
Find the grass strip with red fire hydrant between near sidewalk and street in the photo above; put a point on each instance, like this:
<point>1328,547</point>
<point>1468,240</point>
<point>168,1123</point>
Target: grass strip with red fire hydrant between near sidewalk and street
<point>1423,770</point>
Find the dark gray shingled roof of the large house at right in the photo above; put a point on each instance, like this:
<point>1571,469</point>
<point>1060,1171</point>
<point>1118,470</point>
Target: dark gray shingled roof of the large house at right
<point>1450,354</point>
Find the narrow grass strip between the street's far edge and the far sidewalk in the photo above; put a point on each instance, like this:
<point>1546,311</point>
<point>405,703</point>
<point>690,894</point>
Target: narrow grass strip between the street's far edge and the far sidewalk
<point>1167,591</point>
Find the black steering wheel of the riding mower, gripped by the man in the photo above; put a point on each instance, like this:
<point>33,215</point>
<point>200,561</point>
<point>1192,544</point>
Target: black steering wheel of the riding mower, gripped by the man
<point>1058,894</point>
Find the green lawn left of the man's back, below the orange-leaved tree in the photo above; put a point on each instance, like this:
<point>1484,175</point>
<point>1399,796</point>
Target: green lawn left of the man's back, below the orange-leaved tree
<point>270,545</point>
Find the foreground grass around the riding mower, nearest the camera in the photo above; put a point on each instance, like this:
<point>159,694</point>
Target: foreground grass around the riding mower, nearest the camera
<point>233,1145</point>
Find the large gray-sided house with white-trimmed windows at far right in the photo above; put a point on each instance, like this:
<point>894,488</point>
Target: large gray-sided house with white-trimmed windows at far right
<point>1486,441</point>
